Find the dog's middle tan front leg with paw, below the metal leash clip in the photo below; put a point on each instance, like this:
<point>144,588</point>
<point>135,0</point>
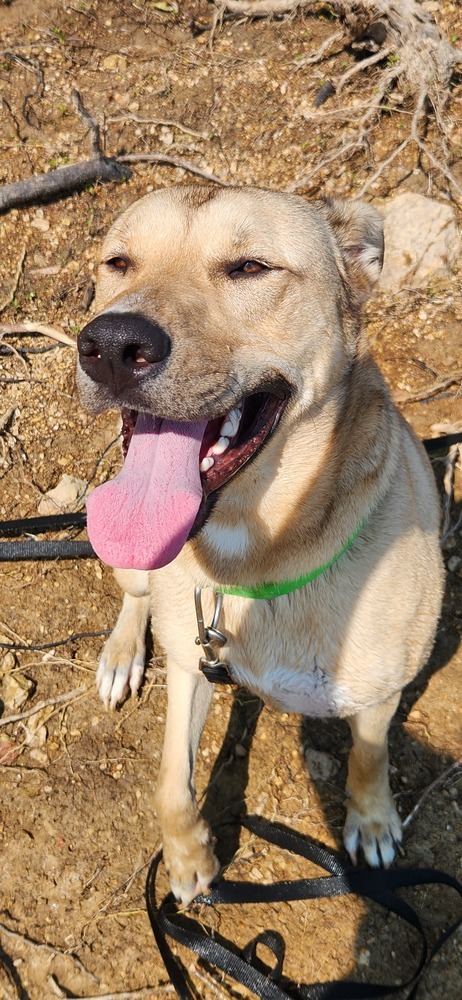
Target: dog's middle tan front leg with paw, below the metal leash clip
<point>187,839</point>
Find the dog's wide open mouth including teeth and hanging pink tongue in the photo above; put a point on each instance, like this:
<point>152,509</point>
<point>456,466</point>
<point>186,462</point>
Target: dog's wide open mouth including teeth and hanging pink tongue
<point>143,517</point>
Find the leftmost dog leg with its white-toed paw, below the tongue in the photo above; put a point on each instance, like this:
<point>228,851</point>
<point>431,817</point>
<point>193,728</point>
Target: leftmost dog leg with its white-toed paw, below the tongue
<point>122,660</point>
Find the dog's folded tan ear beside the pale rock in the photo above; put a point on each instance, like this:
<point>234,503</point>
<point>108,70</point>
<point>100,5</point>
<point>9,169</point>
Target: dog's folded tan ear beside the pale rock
<point>358,232</point>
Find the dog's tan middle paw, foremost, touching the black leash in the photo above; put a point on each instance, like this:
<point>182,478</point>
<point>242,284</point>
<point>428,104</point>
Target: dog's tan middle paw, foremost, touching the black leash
<point>190,861</point>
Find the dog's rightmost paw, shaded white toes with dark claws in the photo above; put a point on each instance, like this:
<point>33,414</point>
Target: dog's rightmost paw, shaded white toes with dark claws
<point>378,834</point>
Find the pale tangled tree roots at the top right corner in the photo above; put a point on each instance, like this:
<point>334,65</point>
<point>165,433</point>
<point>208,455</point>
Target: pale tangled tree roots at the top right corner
<point>414,54</point>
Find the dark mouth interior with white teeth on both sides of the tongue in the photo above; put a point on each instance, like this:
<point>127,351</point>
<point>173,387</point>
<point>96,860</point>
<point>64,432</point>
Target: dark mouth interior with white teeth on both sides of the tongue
<point>229,442</point>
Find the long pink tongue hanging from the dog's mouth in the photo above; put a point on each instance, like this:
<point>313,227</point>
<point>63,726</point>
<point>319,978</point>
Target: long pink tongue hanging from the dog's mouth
<point>142,518</point>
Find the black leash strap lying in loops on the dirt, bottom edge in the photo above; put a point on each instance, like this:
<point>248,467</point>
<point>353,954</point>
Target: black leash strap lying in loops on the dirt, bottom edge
<point>244,966</point>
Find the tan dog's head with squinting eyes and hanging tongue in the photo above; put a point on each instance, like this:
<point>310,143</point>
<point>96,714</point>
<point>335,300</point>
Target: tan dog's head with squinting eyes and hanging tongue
<point>221,313</point>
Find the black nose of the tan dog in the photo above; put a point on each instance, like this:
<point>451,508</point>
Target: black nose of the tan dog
<point>121,349</point>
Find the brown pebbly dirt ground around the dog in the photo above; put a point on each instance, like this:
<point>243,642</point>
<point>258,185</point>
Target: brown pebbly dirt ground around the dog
<point>77,827</point>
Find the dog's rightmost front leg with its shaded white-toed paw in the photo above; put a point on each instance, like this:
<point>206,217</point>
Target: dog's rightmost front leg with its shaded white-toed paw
<point>372,820</point>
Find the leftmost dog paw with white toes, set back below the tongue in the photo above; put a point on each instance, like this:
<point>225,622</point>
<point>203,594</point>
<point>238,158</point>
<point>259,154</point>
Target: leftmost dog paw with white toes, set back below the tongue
<point>121,667</point>
